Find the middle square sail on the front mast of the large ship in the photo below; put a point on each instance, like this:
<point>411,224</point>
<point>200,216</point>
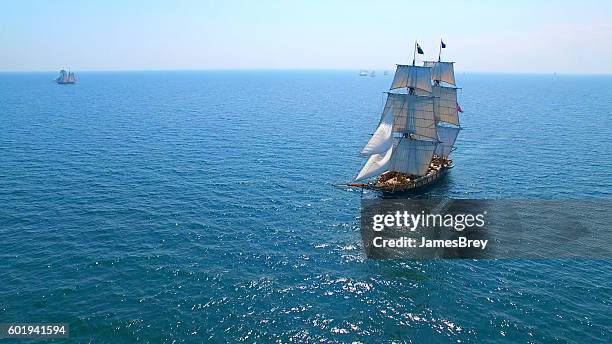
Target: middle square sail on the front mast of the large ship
<point>412,114</point>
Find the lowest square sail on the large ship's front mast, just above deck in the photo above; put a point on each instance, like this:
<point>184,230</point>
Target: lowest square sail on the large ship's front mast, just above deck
<point>413,156</point>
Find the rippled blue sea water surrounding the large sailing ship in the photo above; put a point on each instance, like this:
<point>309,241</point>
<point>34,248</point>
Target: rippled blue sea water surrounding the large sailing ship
<point>171,207</point>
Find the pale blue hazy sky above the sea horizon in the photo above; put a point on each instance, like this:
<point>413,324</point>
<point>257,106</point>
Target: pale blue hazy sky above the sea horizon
<point>536,36</point>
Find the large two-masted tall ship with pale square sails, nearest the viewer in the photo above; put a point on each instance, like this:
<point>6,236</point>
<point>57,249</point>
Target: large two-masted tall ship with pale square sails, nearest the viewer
<point>417,130</point>
